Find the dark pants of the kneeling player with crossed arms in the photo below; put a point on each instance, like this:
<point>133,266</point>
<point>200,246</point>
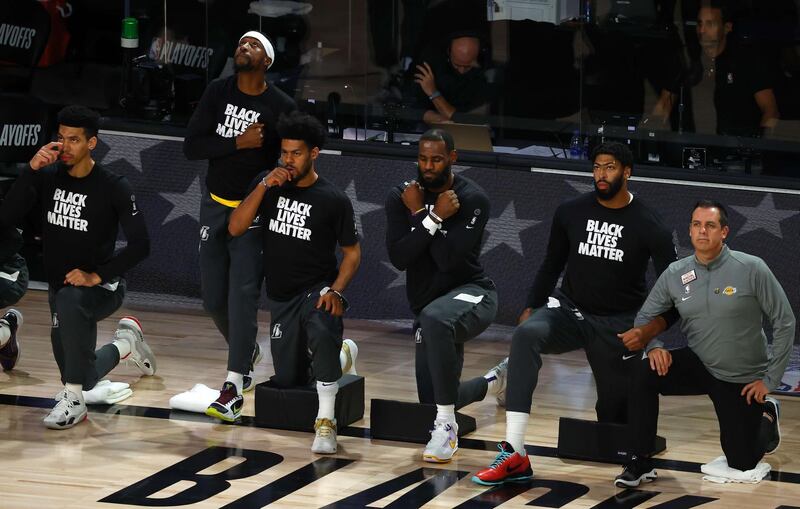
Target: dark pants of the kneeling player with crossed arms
<point>440,331</point>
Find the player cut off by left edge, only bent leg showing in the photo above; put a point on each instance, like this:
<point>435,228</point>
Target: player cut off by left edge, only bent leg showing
<point>13,283</point>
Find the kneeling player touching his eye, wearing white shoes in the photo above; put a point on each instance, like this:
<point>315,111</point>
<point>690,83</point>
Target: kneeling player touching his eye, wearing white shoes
<point>83,205</point>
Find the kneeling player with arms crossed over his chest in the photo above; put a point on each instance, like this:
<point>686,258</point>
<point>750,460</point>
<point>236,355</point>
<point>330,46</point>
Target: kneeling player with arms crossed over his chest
<point>434,231</point>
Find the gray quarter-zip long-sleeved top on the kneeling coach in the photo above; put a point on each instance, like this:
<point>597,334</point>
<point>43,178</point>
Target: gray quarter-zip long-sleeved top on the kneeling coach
<point>721,306</point>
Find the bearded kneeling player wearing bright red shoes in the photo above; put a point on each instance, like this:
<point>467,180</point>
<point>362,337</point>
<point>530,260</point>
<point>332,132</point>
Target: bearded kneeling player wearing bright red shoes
<point>605,239</point>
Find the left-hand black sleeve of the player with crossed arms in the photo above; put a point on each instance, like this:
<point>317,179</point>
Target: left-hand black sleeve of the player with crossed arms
<point>404,244</point>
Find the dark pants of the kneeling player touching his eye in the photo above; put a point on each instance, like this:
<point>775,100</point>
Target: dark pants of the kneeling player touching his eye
<point>75,312</point>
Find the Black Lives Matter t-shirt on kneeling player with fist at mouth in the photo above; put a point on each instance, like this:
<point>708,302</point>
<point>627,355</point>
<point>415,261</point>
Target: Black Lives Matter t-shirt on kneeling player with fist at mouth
<point>302,226</point>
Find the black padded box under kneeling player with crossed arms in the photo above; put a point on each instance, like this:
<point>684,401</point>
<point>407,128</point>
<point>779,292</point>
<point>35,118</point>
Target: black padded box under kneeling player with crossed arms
<point>409,422</point>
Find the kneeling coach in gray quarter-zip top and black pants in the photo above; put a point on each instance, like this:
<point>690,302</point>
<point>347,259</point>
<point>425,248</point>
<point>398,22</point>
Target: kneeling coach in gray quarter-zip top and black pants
<point>721,296</point>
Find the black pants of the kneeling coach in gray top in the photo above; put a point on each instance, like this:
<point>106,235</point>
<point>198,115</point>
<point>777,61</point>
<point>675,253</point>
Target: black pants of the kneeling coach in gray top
<point>741,435</point>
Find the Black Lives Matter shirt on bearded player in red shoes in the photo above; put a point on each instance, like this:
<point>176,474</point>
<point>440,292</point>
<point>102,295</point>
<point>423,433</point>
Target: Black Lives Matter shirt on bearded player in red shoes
<point>606,253</point>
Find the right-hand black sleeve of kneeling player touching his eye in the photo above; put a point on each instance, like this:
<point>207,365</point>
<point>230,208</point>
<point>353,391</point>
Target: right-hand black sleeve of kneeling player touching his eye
<point>132,221</point>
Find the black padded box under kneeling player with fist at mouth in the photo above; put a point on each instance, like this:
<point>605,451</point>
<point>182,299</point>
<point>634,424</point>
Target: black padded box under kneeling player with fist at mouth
<point>296,408</point>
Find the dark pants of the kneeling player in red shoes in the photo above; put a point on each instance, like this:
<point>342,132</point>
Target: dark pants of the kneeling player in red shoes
<point>556,330</point>
